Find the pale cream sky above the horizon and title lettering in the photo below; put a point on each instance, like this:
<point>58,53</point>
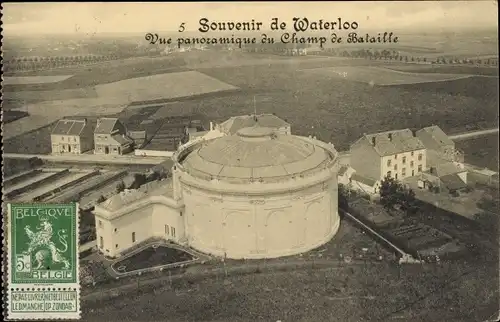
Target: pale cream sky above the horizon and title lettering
<point>100,17</point>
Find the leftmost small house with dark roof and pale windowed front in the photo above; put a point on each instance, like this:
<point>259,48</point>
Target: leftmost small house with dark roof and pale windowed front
<point>71,136</point>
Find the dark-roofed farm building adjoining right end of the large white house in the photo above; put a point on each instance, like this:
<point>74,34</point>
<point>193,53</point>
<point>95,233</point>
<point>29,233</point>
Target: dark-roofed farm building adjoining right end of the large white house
<point>440,148</point>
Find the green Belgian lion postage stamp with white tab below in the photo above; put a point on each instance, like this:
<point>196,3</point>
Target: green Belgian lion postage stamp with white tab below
<point>42,249</point>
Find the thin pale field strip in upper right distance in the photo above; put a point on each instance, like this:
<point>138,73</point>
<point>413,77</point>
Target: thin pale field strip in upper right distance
<point>382,76</point>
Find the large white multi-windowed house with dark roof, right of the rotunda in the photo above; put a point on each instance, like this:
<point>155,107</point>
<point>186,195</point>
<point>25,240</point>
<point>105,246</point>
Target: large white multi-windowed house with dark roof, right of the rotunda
<point>398,154</point>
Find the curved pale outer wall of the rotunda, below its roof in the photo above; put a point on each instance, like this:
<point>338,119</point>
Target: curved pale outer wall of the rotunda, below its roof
<point>261,226</point>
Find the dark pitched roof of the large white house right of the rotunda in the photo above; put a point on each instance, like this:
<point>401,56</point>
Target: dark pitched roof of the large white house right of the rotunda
<point>393,142</point>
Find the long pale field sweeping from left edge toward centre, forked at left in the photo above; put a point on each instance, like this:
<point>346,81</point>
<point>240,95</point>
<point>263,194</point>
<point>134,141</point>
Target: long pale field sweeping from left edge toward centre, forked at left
<point>106,99</point>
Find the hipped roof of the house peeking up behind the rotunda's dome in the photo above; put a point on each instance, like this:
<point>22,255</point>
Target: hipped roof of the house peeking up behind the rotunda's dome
<point>236,123</point>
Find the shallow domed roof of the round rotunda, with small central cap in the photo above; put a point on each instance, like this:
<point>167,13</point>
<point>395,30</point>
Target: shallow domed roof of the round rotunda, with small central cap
<point>255,153</point>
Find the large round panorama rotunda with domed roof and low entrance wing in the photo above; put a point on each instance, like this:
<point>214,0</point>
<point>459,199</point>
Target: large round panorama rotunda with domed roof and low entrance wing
<point>254,194</point>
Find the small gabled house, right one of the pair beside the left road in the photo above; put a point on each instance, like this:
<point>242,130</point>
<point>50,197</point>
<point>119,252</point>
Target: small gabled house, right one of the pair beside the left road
<point>110,137</point>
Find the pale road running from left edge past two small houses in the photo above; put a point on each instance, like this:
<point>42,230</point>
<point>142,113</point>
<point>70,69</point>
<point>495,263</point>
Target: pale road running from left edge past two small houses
<point>91,158</point>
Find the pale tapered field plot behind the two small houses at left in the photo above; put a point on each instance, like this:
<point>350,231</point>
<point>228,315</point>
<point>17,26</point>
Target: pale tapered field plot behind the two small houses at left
<point>163,86</point>
